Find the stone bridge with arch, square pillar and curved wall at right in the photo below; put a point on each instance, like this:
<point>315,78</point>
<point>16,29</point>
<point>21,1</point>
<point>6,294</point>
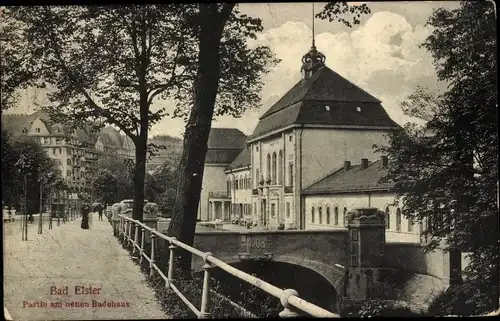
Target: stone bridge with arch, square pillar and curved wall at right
<point>357,262</point>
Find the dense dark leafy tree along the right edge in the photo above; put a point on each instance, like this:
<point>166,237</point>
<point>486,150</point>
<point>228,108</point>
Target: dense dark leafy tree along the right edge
<point>446,173</point>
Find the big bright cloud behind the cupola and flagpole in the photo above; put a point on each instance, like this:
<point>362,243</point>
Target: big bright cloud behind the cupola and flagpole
<point>382,56</point>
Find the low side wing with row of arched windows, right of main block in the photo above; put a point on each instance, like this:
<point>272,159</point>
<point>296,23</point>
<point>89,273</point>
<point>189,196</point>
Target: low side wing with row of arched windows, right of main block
<point>328,200</point>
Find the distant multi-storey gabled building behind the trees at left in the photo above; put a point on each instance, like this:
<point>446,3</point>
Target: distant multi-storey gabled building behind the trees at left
<point>75,153</point>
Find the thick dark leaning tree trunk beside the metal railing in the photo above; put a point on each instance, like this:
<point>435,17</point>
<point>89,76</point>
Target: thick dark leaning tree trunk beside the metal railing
<point>183,223</point>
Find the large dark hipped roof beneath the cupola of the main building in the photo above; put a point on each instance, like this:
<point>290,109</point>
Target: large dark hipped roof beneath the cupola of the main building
<point>306,103</point>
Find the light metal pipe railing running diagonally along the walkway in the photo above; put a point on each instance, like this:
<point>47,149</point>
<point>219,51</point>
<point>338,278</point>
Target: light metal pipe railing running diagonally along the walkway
<point>129,229</point>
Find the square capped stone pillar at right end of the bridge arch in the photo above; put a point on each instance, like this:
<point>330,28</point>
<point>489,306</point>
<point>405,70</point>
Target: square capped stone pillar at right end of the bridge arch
<point>366,228</point>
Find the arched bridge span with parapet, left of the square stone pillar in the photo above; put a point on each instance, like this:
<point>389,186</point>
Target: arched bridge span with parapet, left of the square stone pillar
<point>321,251</point>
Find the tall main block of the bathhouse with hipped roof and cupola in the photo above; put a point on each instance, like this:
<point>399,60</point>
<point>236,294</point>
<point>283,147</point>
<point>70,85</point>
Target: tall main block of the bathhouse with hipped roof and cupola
<point>321,122</point>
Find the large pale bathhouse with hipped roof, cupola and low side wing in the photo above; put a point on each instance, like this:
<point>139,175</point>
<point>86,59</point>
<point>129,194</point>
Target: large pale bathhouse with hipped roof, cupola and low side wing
<point>296,172</point>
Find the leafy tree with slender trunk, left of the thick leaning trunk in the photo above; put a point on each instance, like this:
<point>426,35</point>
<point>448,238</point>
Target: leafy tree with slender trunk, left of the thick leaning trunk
<point>110,63</point>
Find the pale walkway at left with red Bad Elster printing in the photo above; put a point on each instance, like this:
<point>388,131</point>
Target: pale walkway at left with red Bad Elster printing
<point>68,256</point>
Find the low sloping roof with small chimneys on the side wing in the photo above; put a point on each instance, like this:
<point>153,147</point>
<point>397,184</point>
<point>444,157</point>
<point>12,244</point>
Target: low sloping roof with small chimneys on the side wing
<point>352,180</point>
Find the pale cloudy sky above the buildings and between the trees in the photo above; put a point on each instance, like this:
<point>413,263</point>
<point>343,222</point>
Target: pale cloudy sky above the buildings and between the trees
<point>381,55</point>
